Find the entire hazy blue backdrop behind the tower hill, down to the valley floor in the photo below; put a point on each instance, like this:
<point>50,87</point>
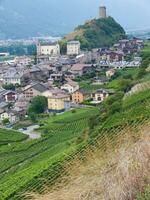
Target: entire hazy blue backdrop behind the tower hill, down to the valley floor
<point>62,16</point>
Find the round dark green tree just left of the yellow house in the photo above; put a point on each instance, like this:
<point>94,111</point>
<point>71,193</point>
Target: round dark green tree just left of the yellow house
<point>38,105</point>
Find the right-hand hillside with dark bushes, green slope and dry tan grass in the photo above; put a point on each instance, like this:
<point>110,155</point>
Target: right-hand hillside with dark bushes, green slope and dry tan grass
<point>113,162</point>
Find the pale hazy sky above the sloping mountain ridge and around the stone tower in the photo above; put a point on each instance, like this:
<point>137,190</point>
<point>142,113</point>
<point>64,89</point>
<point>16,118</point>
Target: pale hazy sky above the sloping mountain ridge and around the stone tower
<point>129,13</point>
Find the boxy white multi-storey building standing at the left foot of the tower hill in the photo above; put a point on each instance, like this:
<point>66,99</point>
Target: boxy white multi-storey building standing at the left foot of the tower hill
<point>73,48</point>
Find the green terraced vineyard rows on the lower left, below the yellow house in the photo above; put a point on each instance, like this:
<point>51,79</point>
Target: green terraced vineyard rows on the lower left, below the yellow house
<point>23,161</point>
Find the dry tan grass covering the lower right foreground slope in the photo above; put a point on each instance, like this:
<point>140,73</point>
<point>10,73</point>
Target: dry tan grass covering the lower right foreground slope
<point>111,171</point>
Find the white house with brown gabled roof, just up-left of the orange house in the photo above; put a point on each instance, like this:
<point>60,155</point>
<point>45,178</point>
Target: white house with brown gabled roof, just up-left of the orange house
<point>70,86</point>
